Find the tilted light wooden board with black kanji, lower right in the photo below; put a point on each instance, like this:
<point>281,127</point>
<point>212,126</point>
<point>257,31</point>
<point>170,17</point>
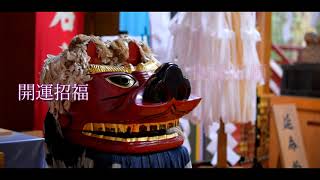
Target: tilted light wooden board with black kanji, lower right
<point>289,135</point>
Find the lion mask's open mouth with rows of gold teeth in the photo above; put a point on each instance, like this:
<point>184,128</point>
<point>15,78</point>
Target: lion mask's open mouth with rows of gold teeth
<point>131,132</point>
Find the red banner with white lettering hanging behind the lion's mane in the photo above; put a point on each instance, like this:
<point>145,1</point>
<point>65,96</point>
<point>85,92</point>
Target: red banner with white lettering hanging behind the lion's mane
<point>54,30</point>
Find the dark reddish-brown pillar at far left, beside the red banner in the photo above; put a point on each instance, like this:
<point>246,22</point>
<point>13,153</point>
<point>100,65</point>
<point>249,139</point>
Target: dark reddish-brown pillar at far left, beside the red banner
<point>17,67</point>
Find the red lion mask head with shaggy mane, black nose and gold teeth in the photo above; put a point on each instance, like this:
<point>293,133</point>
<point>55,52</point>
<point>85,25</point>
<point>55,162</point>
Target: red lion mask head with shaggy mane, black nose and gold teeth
<point>134,102</point>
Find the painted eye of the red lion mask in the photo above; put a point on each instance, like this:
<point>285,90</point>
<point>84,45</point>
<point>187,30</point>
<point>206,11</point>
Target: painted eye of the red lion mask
<point>123,81</point>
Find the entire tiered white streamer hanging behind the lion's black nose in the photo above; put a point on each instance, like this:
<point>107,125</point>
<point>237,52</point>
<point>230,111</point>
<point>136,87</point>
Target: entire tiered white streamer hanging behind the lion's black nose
<point>217,52</point>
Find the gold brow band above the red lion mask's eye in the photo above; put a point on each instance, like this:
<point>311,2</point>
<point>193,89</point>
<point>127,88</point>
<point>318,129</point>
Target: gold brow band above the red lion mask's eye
<point>148,66</point>
